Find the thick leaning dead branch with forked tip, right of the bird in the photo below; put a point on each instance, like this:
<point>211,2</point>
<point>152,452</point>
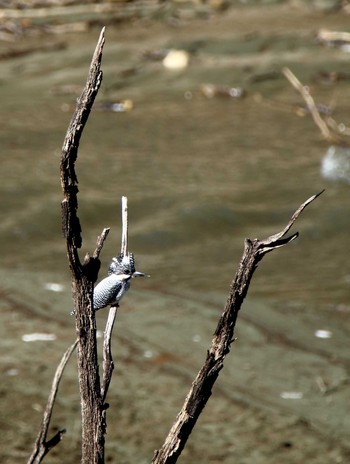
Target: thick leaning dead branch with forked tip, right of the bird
<point>201,389</point>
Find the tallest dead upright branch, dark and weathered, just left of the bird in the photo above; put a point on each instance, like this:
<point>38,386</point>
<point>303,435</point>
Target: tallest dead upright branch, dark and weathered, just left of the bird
<point>84,275</point>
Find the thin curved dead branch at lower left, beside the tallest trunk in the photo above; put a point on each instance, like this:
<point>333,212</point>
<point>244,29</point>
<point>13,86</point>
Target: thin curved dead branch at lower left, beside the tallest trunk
<point>42,446</point>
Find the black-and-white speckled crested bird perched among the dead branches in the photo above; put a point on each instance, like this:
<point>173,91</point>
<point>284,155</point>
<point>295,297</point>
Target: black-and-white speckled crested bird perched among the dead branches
<point>113,287</point>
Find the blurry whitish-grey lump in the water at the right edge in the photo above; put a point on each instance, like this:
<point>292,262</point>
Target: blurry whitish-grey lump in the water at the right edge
<point>336,164</point>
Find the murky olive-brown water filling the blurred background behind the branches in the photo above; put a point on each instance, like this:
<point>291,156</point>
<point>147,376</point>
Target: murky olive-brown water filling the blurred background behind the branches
<point>202,171</point>
